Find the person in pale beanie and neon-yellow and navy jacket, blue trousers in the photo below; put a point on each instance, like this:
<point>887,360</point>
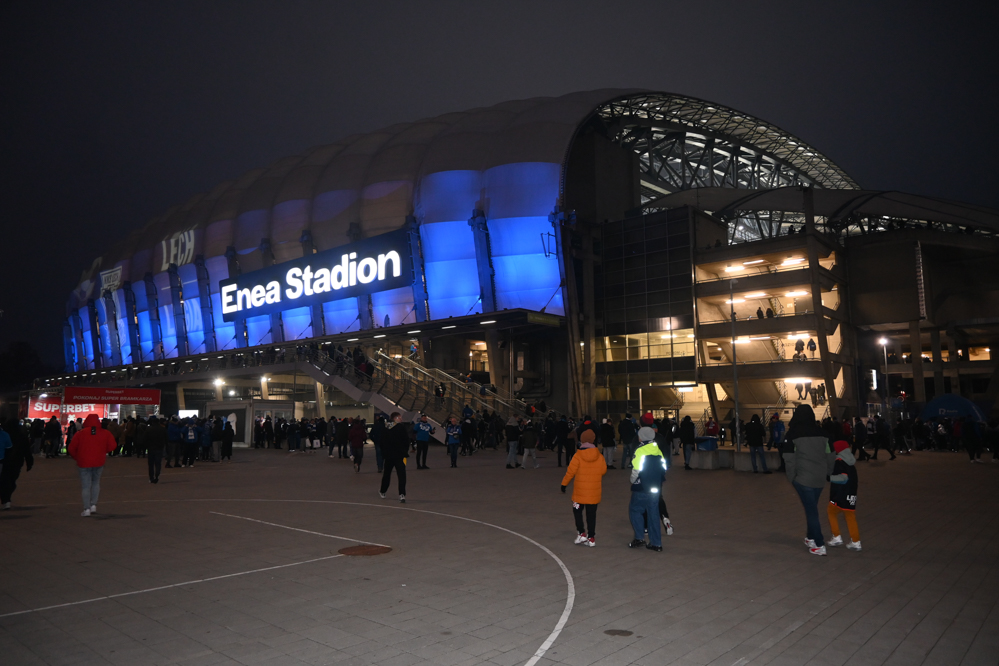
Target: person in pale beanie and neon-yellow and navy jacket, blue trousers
<point>647,476</point>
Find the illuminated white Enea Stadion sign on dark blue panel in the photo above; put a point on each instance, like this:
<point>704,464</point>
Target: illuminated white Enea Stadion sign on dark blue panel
<point>370,265</point>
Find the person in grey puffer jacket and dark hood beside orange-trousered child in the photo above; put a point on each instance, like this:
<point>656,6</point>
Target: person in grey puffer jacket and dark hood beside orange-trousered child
<point>808,459</point>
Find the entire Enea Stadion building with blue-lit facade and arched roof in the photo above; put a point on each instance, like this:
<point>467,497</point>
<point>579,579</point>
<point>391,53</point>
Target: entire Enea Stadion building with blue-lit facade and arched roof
<point>603,252</point>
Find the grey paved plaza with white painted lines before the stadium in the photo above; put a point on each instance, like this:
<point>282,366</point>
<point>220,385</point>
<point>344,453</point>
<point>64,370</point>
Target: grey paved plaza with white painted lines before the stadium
<point>239,564</point>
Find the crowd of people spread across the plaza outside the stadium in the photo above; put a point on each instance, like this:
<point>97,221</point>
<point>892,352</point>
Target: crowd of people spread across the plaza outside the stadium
<point>812,452</point>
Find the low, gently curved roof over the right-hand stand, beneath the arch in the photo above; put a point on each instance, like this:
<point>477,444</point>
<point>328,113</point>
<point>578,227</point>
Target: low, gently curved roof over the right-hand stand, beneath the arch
<point>844,211</point>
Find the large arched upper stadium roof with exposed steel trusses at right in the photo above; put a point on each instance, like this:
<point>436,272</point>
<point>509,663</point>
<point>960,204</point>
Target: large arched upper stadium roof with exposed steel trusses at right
<point>366,184</point>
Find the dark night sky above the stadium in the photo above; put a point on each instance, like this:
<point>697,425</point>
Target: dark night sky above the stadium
<point>114,111</point>
